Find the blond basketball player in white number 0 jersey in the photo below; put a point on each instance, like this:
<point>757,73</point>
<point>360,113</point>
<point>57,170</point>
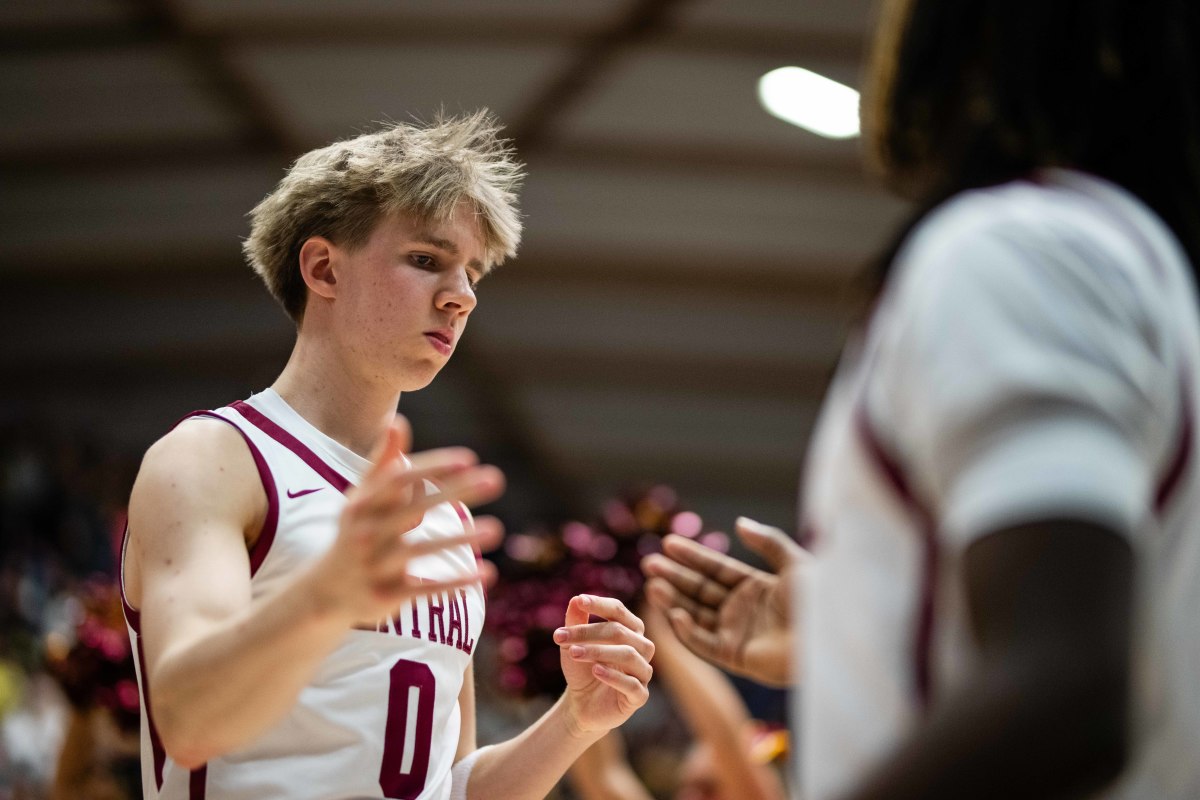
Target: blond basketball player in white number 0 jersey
<point>305,616</point>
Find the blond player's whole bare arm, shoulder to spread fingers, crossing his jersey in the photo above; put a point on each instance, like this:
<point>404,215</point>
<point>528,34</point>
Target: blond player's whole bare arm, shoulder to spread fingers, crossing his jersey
<point>223,669</point>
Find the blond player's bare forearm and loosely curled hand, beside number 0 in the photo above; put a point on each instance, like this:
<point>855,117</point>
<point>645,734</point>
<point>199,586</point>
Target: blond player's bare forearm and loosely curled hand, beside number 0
<point>607,666</point>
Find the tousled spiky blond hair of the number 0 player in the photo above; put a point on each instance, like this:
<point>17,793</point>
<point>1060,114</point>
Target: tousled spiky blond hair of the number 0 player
<point>343,190</point>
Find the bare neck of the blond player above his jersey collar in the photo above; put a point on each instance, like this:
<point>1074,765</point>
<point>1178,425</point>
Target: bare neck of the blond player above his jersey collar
<point>352,407</point>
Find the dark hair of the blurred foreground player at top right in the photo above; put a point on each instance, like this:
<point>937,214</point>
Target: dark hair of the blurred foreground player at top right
<point>973,94</point>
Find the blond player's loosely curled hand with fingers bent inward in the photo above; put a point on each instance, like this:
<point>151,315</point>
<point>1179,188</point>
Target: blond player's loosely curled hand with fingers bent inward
<point>607,665</point>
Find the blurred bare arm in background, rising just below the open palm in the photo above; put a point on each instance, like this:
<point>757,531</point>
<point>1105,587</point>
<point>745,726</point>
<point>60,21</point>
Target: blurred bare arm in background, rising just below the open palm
<point>715,713</point>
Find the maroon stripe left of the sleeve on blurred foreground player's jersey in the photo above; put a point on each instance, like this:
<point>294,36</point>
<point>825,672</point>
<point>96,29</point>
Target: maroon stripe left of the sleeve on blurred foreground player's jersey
<point>923,645</point>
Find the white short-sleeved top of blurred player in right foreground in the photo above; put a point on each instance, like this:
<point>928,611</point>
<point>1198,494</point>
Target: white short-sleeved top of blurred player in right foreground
<point>1069,300</point>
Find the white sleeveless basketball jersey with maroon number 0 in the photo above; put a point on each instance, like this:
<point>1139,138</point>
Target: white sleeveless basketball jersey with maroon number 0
<point>381,718</point>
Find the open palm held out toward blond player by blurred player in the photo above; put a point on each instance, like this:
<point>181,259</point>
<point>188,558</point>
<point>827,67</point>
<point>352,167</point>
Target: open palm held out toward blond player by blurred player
<point>728,612</point>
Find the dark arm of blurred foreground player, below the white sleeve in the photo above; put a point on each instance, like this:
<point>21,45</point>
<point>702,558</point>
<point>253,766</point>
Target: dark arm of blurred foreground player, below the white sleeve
<point>1045,713</point>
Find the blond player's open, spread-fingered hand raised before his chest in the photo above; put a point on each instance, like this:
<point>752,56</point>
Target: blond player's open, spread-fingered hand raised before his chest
<point>365,574</point>
